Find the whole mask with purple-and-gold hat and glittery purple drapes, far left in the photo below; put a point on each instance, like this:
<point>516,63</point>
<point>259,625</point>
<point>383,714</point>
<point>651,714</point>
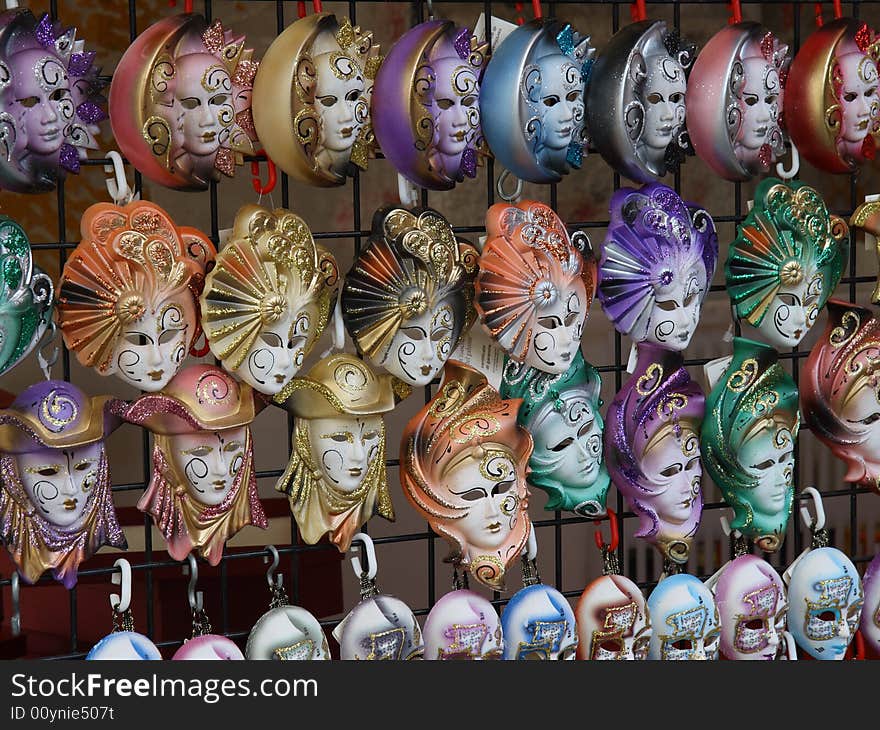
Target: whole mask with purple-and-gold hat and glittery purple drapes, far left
<point>56,509</point>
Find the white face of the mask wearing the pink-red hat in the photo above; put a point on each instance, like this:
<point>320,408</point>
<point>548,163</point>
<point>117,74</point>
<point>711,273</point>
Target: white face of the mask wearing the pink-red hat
<point>209,462</point>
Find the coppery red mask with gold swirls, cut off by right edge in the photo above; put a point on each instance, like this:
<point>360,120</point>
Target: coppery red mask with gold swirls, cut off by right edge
<point>839,393</point>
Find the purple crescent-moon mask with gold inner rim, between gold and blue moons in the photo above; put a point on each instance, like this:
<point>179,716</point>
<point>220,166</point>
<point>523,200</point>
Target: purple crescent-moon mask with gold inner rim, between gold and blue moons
<point>431,131</point>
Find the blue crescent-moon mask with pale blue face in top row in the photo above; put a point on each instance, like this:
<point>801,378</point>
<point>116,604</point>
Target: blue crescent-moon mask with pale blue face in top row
<point>541,67</point>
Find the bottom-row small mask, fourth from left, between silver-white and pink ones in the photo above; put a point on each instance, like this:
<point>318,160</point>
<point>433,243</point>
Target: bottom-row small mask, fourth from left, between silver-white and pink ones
<point>380,628</point>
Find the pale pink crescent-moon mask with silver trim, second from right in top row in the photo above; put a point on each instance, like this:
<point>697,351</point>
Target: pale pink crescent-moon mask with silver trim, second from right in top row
<point>735,105</point>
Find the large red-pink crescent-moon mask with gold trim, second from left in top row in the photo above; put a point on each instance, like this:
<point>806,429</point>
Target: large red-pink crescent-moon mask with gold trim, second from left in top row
<point>176,102</point>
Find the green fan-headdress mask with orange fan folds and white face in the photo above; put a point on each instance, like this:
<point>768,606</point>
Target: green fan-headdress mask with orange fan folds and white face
<point>786,260</point>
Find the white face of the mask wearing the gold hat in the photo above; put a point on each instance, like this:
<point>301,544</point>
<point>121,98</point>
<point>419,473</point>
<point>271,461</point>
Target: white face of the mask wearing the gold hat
<point>344,448</point>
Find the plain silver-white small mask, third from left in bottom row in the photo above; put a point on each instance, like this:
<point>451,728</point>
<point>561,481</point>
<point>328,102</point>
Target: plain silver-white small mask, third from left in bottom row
<point>287,633</point>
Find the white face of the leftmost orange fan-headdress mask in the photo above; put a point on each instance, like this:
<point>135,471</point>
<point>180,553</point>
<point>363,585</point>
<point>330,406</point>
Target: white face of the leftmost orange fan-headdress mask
<point>149,351</point>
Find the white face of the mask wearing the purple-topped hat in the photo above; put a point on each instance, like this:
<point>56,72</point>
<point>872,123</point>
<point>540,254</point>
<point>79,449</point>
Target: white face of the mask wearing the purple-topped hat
<point>59,482</point>
